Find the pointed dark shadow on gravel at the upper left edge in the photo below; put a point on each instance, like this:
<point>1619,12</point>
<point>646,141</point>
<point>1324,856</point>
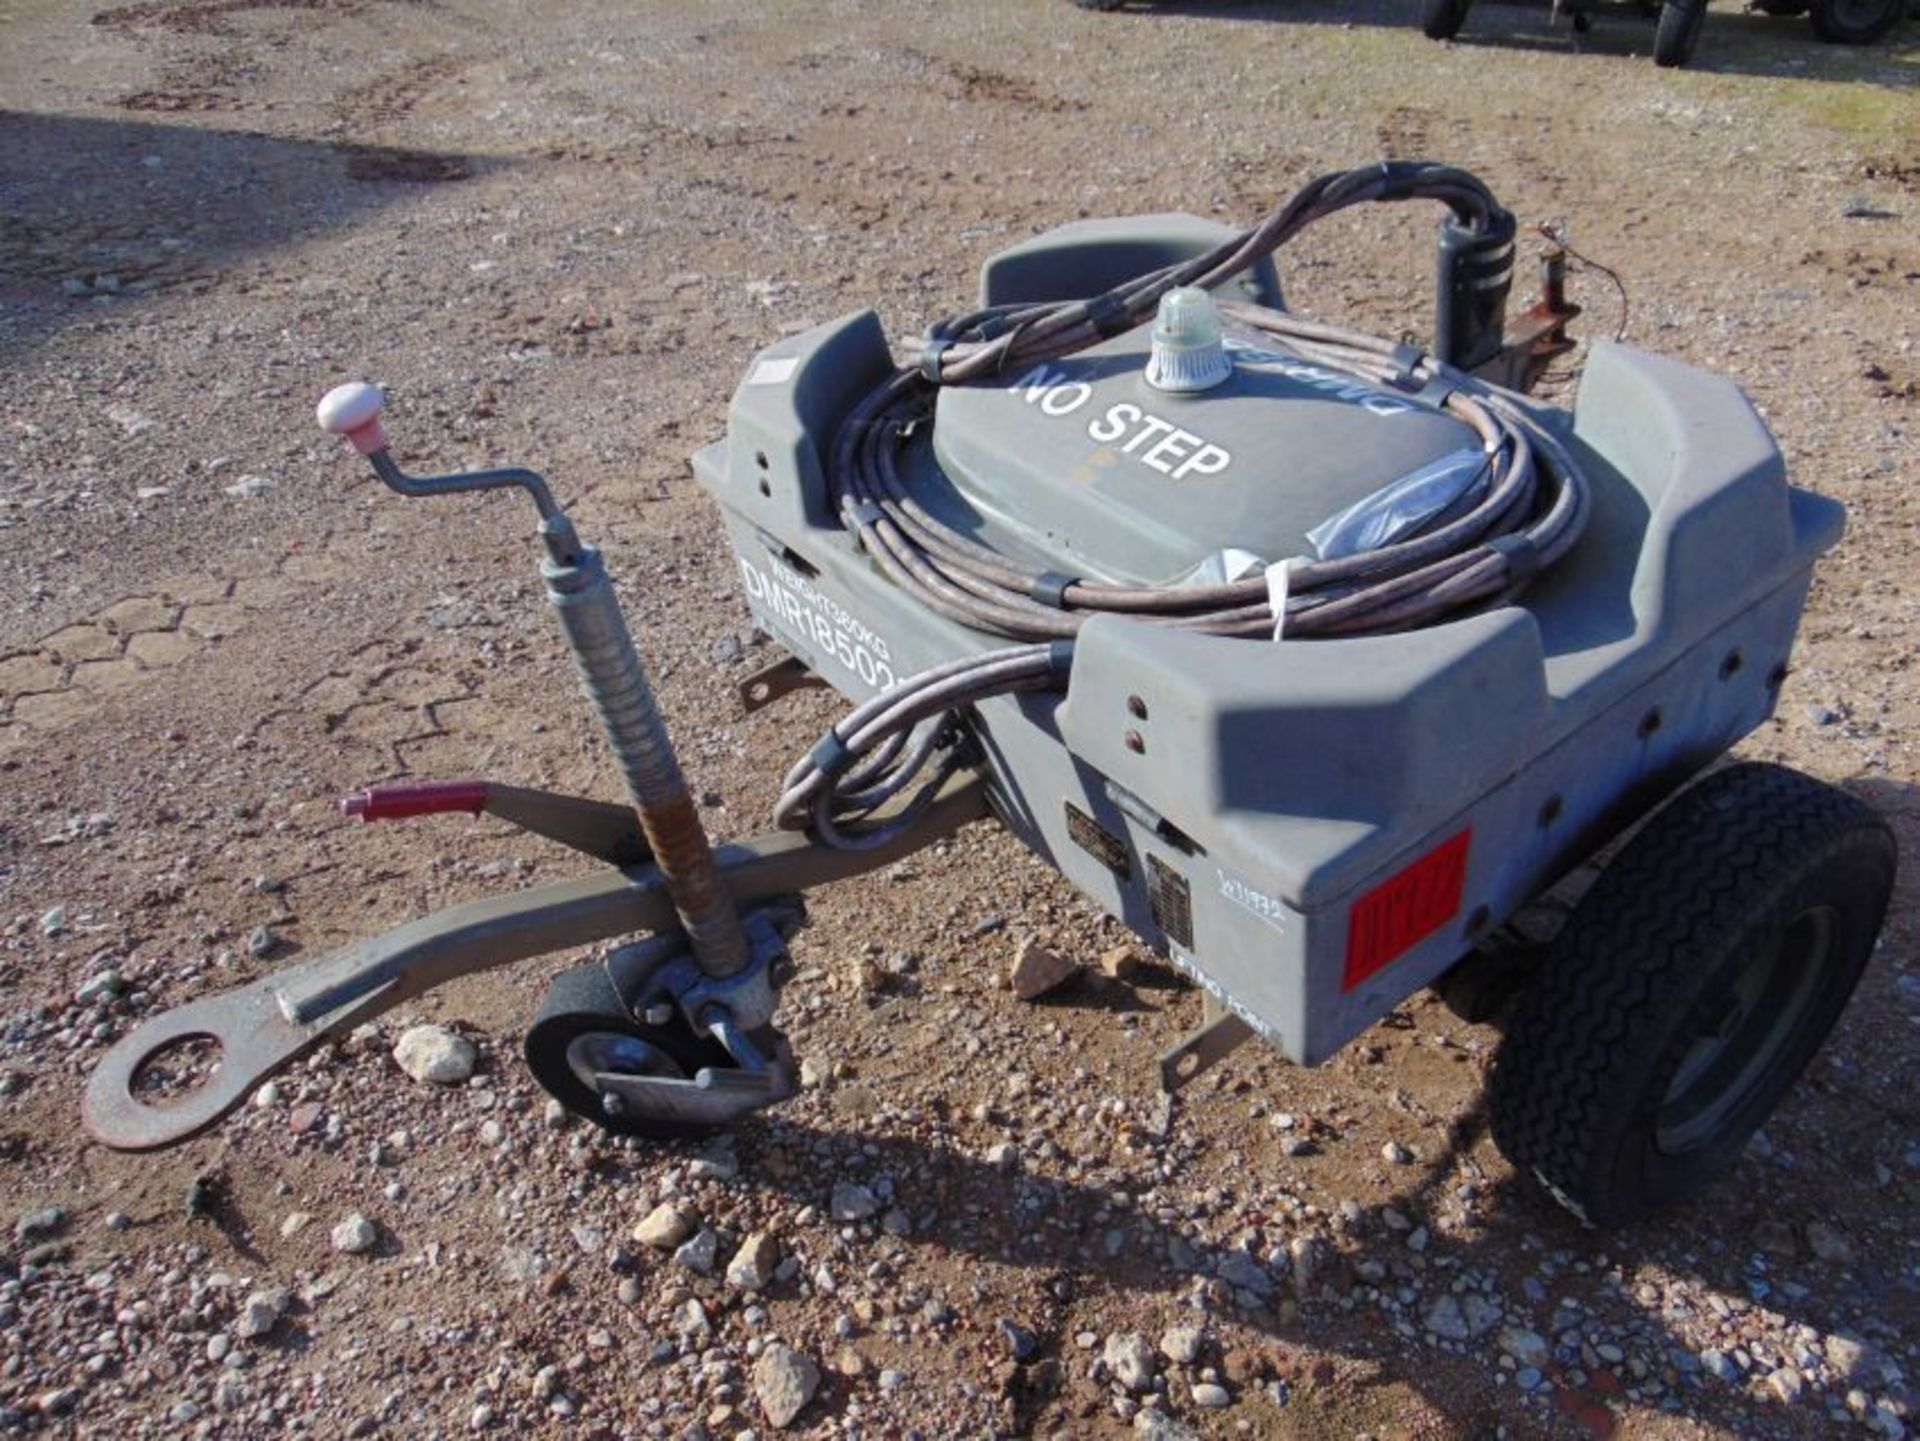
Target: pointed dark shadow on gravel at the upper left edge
<point>101,212</point>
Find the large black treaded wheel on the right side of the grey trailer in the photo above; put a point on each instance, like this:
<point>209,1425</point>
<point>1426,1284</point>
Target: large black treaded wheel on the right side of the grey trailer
<point>1689,991</point>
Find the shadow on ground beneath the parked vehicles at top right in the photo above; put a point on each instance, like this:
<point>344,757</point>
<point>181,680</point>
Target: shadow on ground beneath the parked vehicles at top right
<point>1733,43</point>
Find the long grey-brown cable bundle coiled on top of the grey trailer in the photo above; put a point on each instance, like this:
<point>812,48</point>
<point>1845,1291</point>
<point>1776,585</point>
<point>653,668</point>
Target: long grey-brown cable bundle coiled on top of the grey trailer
<point>1525,517</point>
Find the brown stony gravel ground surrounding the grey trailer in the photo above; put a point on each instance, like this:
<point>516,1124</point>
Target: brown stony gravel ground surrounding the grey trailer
<point>558,239</point>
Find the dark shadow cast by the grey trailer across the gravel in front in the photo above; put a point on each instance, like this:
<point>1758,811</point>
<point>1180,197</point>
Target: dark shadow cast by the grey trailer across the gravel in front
<point>1838,1154</point>
